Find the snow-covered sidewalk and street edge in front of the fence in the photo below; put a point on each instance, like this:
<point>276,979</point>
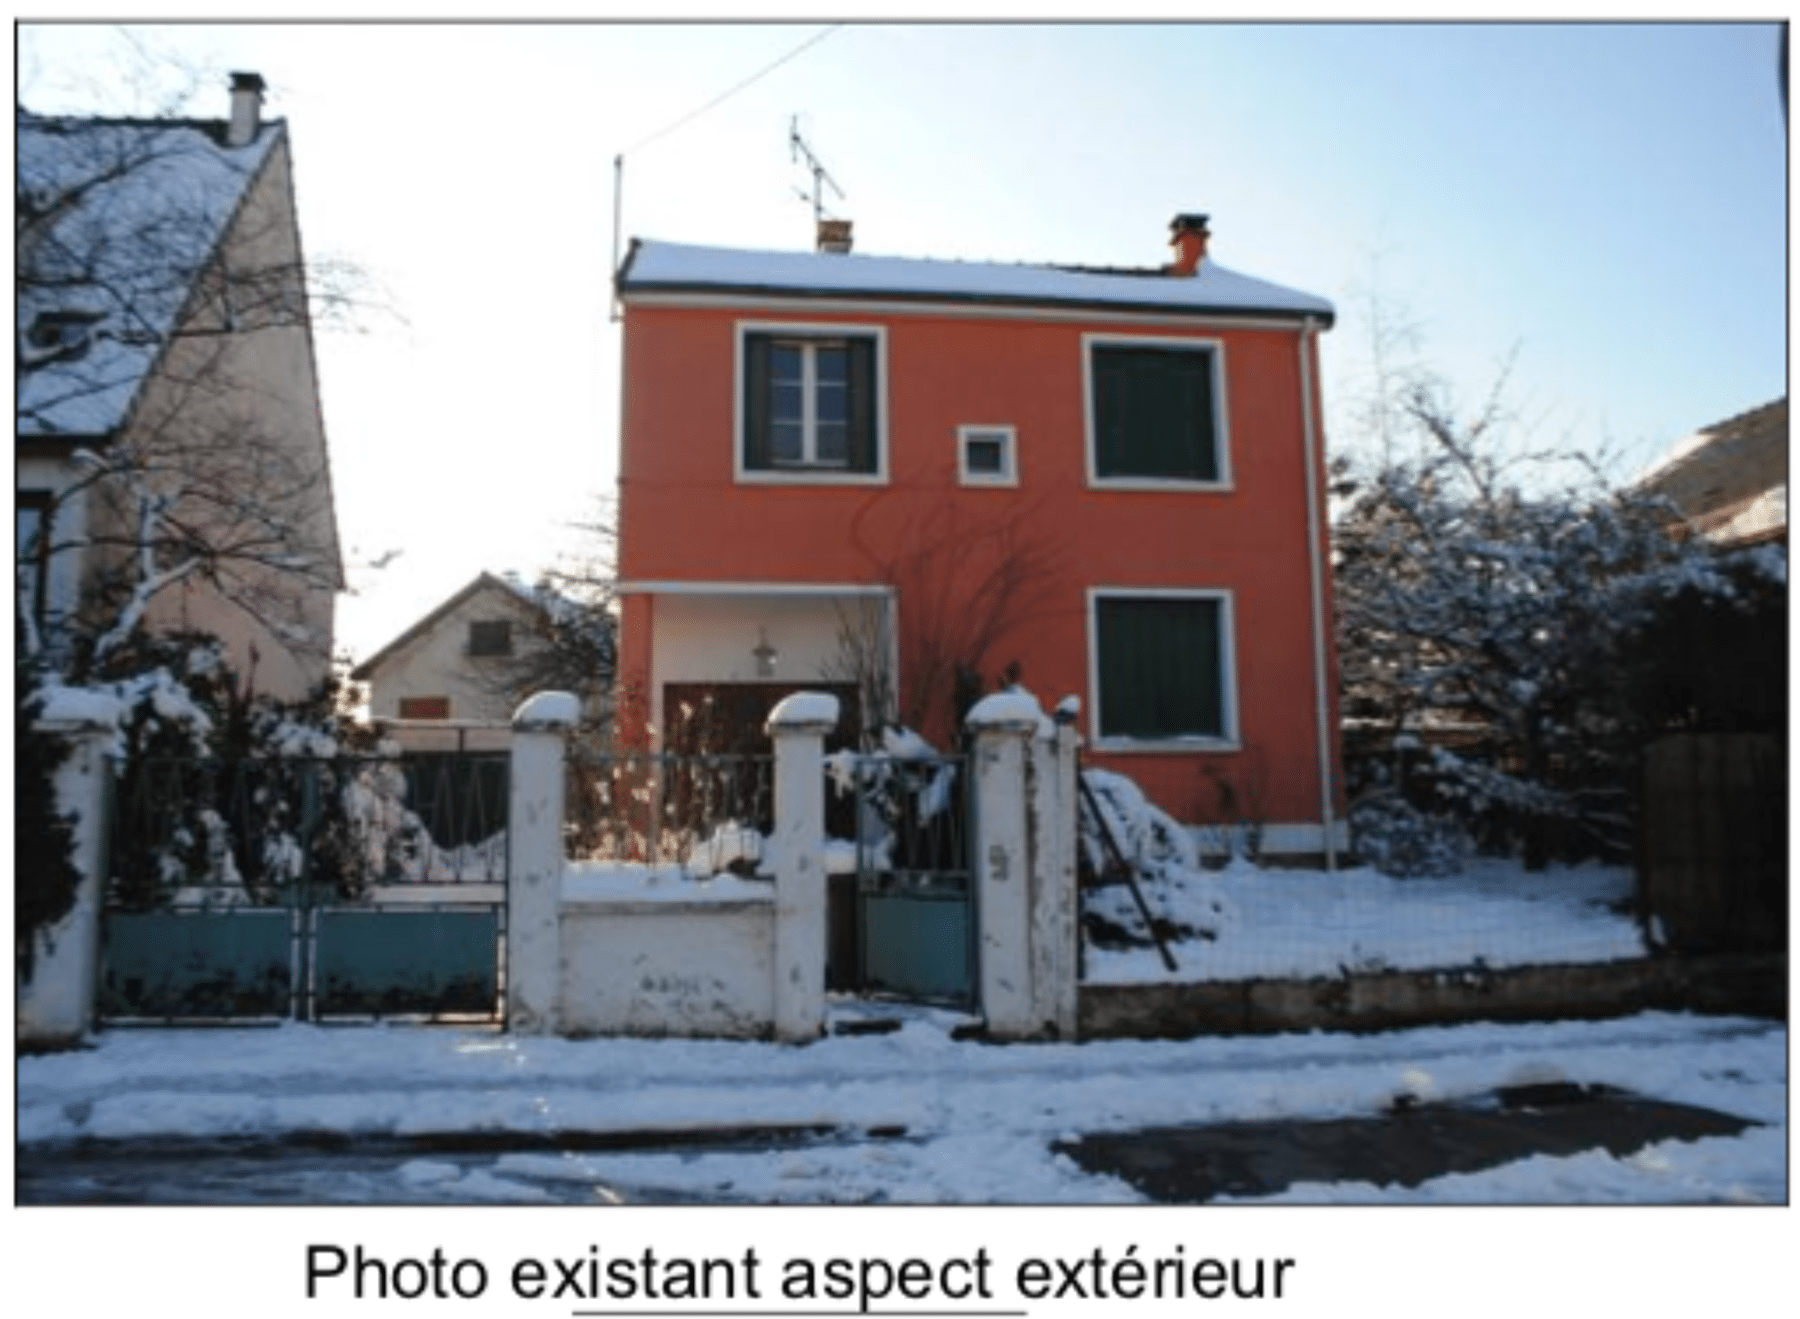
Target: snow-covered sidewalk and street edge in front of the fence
<point>913,1117</point>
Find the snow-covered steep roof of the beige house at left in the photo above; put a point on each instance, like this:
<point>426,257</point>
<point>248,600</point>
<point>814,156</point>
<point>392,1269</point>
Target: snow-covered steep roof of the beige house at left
<point>114,222</point>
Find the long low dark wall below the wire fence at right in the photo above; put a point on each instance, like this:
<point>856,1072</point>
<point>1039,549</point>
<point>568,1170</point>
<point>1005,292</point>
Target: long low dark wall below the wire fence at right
<point>1750,985</point>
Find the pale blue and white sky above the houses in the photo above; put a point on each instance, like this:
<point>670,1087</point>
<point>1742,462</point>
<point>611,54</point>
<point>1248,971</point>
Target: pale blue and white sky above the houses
<point>1594,211</point>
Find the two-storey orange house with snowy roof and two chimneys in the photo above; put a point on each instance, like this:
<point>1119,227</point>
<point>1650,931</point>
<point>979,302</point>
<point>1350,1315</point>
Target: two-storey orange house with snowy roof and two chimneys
<point>912,481</point>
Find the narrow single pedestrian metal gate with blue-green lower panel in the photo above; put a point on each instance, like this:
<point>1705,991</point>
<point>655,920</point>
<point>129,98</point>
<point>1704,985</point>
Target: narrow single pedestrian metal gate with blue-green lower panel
<point>915,893</point>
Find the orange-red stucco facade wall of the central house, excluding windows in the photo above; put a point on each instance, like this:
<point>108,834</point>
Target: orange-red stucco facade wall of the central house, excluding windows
<point>942,544</point>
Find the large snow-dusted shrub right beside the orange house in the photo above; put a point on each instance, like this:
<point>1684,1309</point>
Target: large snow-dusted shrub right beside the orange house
<point>1500,616</point>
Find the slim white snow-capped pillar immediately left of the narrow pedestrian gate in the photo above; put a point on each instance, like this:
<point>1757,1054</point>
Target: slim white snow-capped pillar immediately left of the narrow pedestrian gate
<point>798,728</point>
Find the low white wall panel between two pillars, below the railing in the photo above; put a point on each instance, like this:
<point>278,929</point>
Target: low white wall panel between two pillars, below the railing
<point>703,969</point>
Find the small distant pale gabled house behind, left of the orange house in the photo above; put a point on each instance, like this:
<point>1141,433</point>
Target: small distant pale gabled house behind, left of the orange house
<point>467,661</point>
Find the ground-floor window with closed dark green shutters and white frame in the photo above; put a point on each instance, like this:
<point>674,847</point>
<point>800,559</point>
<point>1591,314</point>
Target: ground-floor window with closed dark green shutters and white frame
<point>1162,665</point>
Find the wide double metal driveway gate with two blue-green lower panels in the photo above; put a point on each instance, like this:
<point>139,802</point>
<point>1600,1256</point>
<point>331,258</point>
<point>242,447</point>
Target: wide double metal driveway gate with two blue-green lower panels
<point>312,890</point>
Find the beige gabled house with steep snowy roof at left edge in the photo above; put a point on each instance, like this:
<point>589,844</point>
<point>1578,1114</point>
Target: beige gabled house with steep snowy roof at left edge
<point>172,465</point>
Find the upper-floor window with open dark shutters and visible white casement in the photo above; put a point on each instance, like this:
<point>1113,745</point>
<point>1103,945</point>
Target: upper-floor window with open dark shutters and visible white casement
<point>811,404</point>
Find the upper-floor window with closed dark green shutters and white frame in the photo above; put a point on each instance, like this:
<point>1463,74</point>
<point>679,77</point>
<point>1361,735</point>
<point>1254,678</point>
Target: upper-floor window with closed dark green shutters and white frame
<point>1156,413</point>
